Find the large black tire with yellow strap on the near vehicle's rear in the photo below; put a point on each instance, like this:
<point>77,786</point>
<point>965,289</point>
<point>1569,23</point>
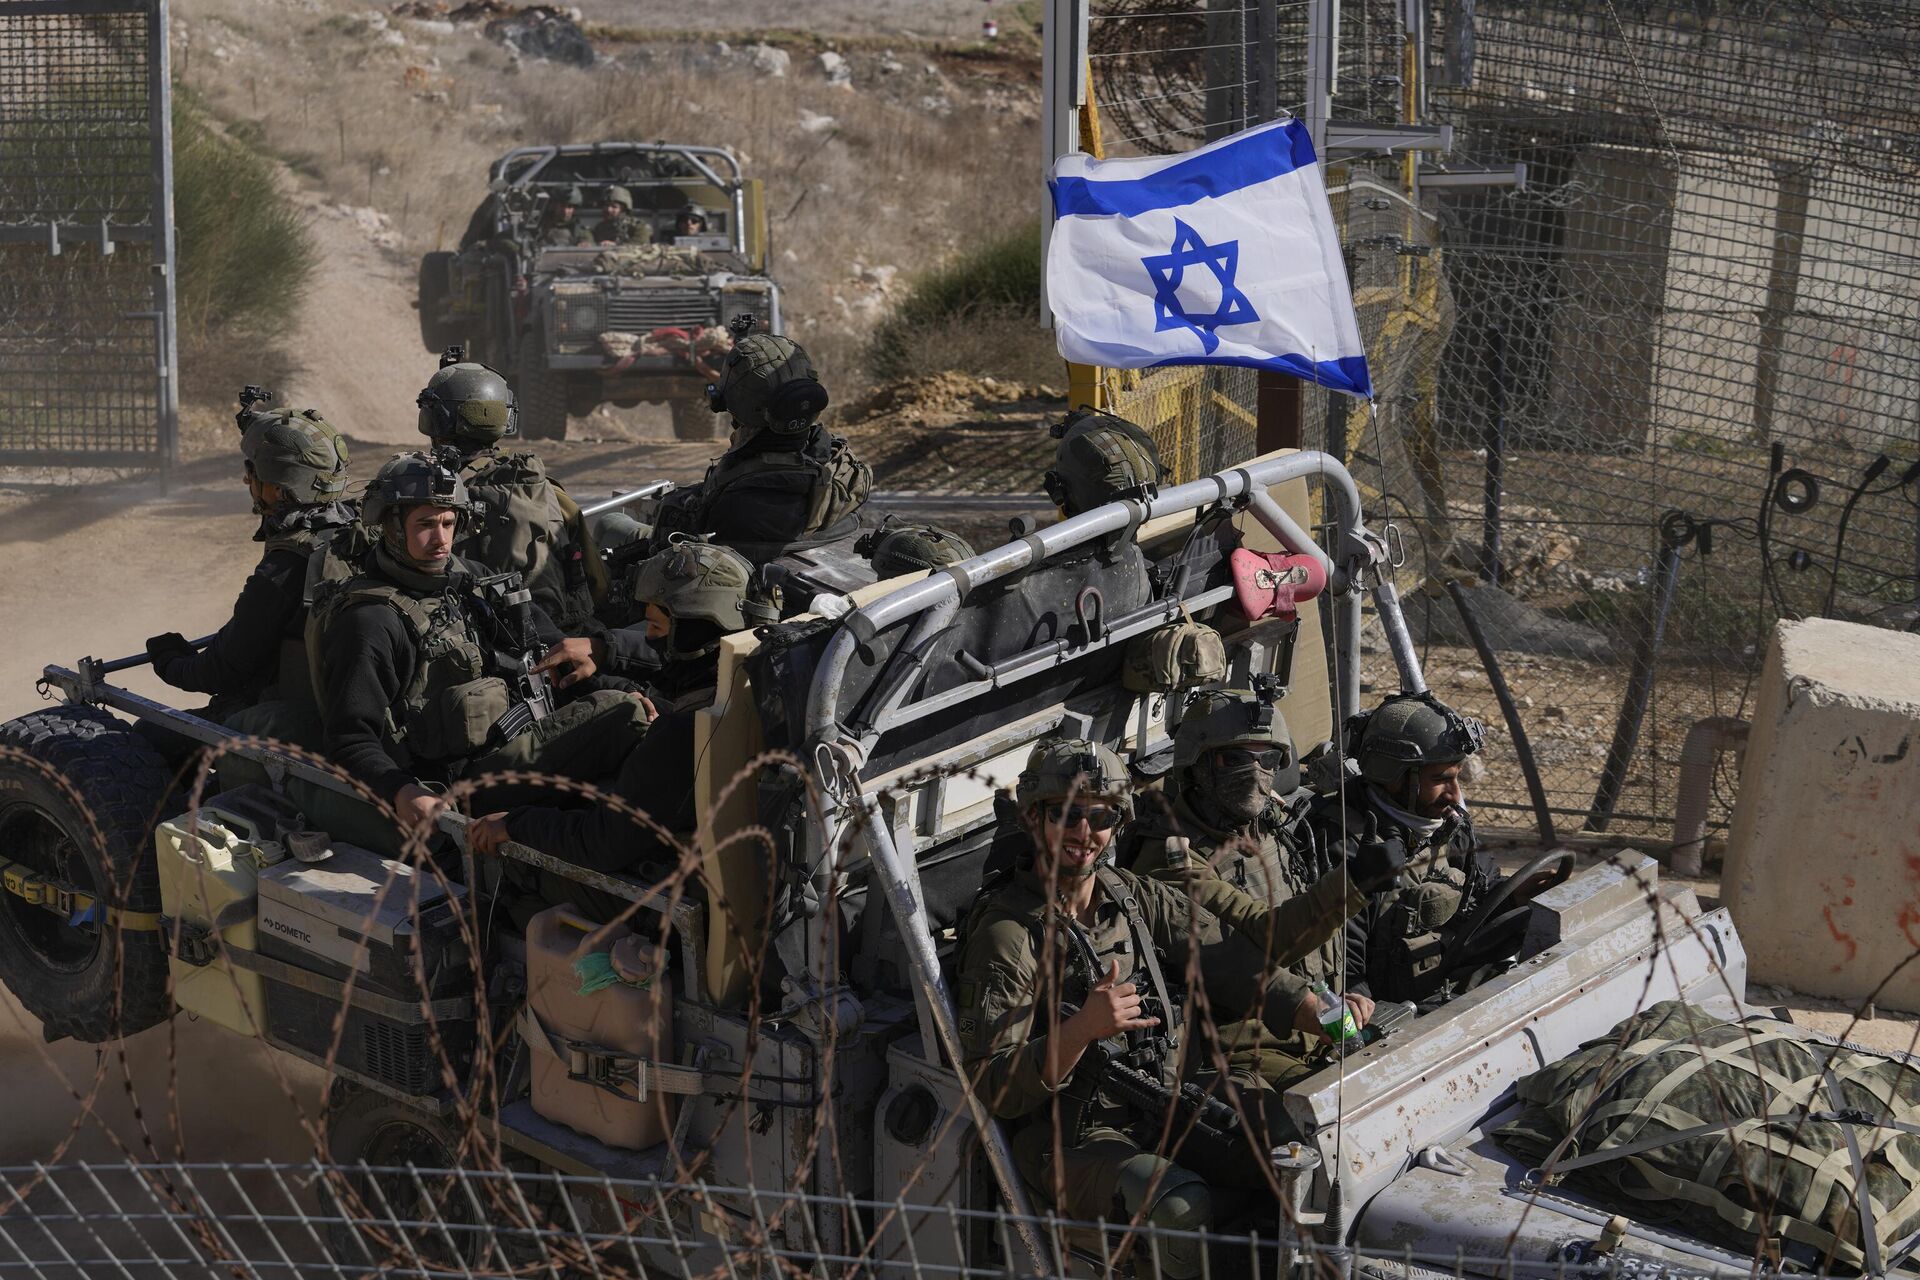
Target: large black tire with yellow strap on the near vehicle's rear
<point>87,818</point>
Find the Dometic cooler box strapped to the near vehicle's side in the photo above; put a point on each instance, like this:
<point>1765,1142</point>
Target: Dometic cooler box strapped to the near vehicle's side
<point>333,918</point>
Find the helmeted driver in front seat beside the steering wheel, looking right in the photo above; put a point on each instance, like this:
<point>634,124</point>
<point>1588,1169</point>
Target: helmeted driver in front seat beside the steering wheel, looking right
<point>1410,757</point>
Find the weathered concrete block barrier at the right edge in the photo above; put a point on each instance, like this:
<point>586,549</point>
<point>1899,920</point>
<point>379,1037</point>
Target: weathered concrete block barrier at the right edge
<point>1823,865</point>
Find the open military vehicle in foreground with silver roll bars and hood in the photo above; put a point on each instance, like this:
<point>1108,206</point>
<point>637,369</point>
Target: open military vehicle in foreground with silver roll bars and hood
<point>811,1039</point>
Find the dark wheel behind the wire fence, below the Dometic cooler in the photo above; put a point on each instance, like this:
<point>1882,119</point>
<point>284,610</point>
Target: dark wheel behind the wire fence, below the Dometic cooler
<point>383,1212</point>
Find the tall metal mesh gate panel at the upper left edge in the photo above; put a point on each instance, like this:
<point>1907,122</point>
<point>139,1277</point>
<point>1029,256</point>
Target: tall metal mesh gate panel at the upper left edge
<point>87,341</point>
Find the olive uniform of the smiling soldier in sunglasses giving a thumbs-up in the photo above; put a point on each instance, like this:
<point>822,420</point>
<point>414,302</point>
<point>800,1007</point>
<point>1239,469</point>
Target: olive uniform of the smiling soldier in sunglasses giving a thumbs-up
<point>1007,995</point>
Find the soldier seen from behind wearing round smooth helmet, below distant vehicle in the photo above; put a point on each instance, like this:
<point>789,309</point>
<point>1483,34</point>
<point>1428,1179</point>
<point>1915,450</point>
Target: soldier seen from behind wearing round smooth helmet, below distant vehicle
<point>523,521</point>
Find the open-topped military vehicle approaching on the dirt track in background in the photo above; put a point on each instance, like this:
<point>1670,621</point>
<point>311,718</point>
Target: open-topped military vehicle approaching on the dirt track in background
<point>581,325</point>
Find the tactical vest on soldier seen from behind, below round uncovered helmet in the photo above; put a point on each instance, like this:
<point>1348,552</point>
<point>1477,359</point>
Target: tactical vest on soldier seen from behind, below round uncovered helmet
<point>523,523</point>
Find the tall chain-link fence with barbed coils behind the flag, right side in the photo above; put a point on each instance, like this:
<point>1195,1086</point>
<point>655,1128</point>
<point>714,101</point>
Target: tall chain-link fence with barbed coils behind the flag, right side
<point>1644,341</point>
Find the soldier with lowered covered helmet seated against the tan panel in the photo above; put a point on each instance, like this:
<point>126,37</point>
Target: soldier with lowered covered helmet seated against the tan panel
<point>696,596</point>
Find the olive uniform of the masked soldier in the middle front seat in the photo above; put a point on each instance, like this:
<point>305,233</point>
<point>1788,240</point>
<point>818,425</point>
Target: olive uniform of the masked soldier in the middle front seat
<point>1268,865</point>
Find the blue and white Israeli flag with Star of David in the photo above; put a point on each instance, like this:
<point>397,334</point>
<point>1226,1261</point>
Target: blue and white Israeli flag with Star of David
<point>1222,256</point>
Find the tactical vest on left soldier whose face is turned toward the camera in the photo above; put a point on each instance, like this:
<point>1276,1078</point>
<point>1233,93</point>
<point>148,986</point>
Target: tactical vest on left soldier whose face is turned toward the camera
<point>450,705</point>
